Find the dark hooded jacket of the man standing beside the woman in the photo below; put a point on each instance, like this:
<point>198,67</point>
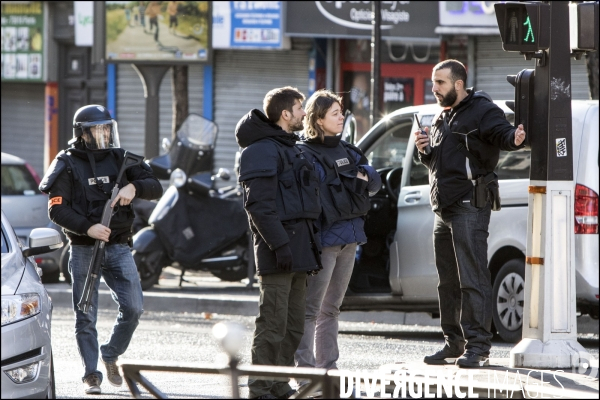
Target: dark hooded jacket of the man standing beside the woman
<point>270,198</point>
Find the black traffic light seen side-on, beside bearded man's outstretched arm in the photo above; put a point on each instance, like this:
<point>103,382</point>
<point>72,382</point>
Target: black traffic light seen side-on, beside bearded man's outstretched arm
<point>523,104</point>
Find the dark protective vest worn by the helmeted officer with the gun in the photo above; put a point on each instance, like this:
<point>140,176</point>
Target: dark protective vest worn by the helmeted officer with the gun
<point>90,193</point>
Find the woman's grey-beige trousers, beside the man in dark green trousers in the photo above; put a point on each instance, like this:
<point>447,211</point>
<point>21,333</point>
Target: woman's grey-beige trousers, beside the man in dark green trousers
<point>324,295</point>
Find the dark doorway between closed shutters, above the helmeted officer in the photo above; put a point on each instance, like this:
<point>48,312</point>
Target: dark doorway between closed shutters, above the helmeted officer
<point>80,83</point>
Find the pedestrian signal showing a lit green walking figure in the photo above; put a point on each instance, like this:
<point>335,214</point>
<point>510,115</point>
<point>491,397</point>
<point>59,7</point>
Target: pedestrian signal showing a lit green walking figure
<point>524,27</point>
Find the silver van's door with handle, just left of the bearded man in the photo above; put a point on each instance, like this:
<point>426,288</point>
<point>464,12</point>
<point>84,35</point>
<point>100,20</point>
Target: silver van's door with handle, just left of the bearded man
<point>412,268</point>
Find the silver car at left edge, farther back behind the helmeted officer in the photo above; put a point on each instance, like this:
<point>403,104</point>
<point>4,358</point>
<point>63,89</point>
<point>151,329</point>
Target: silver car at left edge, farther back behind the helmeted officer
<point>27,208</point>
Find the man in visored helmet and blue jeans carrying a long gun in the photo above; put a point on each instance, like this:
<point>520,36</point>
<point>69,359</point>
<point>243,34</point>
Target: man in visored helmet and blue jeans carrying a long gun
<point>79,183</point>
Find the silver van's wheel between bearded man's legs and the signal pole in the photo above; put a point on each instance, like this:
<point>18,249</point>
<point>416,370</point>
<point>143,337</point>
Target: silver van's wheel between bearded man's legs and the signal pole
<point>508,296</point>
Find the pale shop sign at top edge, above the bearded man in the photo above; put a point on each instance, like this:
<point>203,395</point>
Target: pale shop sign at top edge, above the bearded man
<point>468,13</point>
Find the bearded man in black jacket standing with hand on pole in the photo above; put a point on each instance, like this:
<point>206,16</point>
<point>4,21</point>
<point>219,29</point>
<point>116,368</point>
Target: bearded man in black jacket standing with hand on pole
<point>466,139</point>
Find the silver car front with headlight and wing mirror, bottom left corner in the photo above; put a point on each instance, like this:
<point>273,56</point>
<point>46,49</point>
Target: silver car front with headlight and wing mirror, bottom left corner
<point>27,365</point>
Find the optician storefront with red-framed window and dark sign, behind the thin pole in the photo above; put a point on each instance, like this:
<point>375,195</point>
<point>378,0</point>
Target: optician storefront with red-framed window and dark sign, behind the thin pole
<point>409,50</point>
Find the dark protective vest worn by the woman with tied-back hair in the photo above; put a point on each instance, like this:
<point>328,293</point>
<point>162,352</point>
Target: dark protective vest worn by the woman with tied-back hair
<point>343,195</point>
